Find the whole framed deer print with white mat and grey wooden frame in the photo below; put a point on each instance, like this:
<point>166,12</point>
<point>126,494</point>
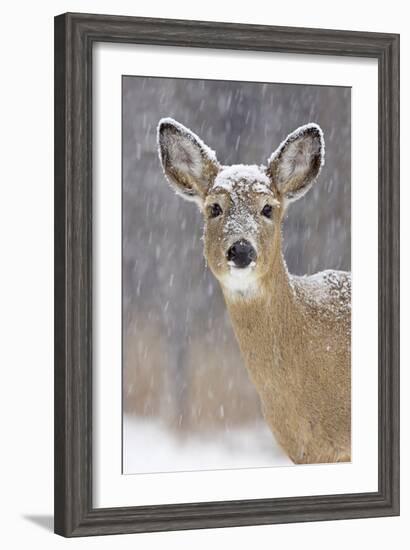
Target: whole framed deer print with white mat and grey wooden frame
<point>226,274</point>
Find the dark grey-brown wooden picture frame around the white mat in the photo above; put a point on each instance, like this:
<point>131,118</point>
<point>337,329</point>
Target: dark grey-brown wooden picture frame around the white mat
<point>75,35</point>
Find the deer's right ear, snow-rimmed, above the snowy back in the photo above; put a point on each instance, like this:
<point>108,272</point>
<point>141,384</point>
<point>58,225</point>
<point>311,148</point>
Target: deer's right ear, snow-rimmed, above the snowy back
<point>296,163</point>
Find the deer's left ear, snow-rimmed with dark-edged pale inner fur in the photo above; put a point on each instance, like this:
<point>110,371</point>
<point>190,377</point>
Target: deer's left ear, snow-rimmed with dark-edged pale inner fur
<point>189,165</point>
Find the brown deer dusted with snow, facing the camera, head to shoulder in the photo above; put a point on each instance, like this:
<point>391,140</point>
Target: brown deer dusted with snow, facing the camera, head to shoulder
<point>293,332</point>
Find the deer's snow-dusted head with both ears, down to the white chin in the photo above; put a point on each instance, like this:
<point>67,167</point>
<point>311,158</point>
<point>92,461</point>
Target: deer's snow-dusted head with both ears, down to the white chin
<point>242,205</point>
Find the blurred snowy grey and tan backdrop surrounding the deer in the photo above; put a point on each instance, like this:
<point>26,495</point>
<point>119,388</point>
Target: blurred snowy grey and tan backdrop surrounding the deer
<point>187,401</point>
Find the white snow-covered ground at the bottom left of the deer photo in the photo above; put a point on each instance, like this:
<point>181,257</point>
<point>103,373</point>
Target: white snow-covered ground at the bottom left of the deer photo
<point>149,447</point>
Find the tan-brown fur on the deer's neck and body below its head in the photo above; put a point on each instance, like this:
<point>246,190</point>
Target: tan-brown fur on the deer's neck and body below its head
<point>297,352</point>
